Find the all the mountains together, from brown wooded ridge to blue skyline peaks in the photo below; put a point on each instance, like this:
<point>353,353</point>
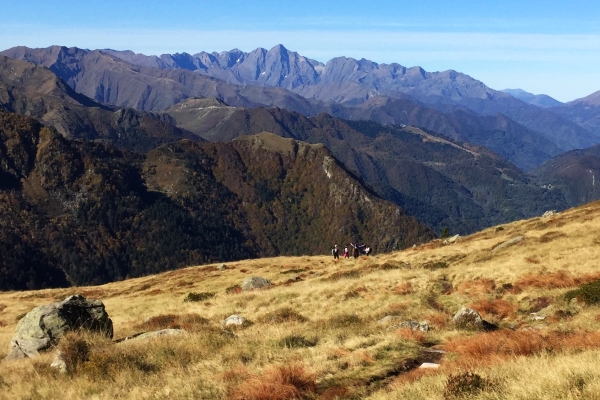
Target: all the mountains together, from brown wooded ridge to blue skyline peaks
<point>115,164</point>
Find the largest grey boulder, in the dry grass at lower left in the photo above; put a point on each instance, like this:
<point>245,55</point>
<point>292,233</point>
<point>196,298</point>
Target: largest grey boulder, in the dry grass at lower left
<point>42,327</point>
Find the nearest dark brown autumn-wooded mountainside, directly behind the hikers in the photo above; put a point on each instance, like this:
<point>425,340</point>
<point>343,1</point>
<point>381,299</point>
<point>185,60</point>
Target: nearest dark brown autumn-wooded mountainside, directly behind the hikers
<point>82,212</point>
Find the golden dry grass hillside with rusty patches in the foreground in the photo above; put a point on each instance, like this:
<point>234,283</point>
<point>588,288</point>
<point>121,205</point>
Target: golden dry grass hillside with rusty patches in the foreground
<point>354,357</point>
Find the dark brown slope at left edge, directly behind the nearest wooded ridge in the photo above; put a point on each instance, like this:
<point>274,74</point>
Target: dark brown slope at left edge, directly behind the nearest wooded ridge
<point>35,91</point>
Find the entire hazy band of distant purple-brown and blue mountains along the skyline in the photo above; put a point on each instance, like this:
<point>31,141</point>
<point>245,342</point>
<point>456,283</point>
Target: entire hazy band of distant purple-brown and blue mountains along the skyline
<point>449,103</point>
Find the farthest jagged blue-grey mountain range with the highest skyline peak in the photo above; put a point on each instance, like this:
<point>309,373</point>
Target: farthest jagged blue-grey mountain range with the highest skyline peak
<point>351,82</point>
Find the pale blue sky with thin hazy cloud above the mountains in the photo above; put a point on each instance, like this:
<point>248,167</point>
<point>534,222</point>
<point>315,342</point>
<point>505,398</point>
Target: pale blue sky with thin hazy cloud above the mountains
<point>550,47</point>
